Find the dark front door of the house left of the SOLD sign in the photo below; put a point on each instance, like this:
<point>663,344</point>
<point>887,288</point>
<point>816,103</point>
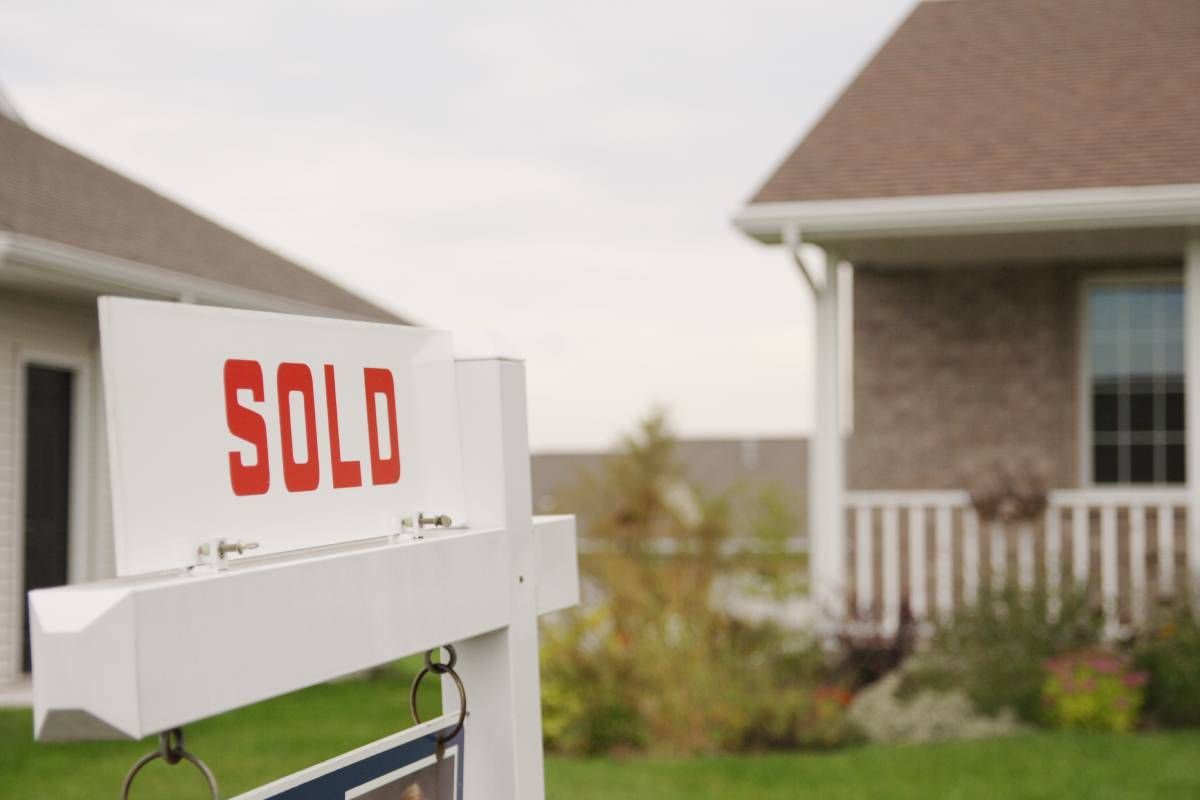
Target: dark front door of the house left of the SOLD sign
<point>47,482</point>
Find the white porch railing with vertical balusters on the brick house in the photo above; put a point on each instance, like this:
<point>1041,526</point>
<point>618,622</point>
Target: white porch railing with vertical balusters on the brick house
<point>932,550</point>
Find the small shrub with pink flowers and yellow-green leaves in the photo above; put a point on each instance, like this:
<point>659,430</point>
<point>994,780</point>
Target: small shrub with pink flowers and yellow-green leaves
<point>1093,691</point>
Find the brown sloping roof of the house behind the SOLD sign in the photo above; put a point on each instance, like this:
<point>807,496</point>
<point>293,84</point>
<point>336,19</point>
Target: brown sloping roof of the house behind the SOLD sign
<point>51,193</point>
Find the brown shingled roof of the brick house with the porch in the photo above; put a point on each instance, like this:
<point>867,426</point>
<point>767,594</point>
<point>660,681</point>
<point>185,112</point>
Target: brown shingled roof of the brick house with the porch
<point>977,97</point>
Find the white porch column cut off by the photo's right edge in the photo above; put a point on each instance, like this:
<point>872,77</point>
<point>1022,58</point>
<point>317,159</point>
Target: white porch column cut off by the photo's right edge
<point>1192,388</point>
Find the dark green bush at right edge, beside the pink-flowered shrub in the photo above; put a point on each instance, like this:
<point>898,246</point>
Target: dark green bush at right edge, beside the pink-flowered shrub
<point>1171,657</point>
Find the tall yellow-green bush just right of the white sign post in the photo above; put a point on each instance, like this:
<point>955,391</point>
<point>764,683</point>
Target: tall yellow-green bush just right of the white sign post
<point>656,660</point>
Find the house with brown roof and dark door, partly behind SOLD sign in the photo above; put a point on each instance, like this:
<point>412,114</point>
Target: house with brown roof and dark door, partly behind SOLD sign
<point>71,231</point>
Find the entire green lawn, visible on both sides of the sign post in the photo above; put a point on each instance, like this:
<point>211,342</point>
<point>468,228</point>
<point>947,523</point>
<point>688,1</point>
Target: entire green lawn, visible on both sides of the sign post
<point>255,745</point>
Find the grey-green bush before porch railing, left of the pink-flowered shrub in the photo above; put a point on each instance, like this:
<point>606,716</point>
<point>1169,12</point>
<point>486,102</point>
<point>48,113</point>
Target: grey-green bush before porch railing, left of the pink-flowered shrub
<point>997,649</point>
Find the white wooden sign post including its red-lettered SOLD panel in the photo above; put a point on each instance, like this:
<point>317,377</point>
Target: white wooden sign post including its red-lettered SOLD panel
<point>275,480</point>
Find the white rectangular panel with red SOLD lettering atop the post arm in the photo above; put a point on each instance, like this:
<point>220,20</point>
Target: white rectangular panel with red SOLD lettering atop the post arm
<point>285,432</point>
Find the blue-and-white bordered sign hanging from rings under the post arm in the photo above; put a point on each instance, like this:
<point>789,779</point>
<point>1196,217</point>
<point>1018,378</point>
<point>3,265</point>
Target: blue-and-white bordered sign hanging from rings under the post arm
<point>409,766</point>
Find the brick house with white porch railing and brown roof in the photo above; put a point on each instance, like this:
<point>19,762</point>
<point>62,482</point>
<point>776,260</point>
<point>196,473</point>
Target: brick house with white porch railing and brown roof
<point>1012,189</point>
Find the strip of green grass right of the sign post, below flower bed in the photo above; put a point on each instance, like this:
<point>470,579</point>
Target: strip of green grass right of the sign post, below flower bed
<point>1031,767</point>
